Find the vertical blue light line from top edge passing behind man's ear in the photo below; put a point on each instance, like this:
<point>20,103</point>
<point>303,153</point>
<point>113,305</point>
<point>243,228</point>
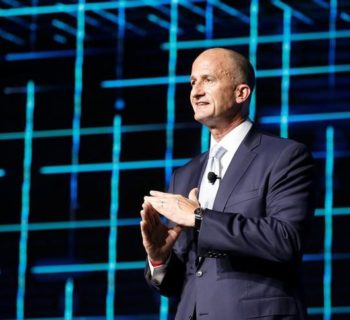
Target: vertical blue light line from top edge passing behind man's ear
<point>253,47</point>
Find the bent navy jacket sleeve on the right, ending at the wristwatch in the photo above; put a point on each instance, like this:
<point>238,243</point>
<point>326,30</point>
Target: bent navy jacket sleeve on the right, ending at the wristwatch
<point>277,232</point>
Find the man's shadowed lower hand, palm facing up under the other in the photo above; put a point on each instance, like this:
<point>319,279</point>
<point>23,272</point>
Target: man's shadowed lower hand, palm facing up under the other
<point>158,239</point>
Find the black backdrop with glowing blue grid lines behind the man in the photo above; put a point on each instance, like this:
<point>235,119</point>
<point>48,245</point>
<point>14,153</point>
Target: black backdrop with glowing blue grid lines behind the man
<point>95,112</point>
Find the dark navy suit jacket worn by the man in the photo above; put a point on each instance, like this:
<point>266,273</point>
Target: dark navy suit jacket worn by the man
<point>251,241</point>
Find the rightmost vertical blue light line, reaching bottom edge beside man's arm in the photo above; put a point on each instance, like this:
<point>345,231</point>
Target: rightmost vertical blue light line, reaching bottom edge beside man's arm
<point>328,237</point>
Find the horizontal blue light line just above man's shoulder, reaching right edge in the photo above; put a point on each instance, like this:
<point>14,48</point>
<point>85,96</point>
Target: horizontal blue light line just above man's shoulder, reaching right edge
<point>311,117</point>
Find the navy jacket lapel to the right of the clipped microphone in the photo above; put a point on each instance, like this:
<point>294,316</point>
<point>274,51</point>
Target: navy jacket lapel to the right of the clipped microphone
<point>237,168</point>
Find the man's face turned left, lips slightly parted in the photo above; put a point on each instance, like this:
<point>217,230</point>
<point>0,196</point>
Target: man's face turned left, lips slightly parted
<point>213,90</point>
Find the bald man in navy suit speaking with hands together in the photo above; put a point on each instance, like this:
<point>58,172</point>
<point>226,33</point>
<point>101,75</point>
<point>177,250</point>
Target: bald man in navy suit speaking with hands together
<point>234,252</point>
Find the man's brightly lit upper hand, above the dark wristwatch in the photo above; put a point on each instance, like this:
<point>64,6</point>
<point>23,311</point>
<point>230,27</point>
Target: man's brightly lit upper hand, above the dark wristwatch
<point>175,207</point>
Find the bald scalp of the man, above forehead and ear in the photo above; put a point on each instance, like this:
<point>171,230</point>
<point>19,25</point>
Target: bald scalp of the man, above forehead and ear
<point>236,66</point>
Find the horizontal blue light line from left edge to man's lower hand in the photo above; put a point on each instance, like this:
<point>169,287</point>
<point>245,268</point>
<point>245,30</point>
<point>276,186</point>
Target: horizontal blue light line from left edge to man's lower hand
<point>64,225</point>
